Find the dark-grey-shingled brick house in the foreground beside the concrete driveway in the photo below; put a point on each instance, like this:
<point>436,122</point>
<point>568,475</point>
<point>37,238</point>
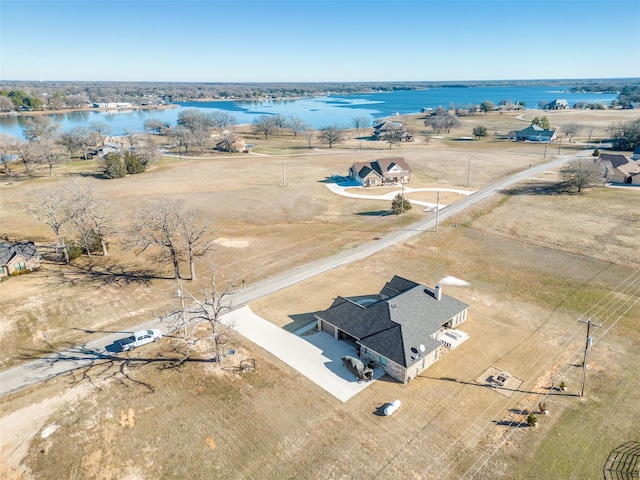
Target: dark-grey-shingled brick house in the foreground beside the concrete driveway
<point>402,330</point>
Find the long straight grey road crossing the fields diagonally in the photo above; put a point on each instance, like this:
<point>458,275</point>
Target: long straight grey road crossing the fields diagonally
<point>95,352</point>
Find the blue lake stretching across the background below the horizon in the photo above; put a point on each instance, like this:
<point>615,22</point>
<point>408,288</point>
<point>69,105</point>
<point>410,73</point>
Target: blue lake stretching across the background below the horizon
<point>322,111</point>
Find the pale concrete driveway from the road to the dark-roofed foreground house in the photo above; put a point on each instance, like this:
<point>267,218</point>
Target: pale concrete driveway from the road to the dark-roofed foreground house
<point>316,356</point>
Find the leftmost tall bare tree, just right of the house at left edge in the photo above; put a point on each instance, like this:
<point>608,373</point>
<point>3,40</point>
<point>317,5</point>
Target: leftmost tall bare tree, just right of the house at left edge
<point>48,205</point>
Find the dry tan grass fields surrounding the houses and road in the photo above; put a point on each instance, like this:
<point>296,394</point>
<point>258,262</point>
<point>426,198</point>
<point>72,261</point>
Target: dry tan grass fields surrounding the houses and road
<point>536,261</point>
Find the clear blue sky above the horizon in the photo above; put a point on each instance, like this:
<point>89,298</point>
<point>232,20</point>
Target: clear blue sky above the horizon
<point>318,40</point>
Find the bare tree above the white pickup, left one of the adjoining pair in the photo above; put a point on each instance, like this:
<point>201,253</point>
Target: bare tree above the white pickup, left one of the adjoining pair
<point>158,227</point>
